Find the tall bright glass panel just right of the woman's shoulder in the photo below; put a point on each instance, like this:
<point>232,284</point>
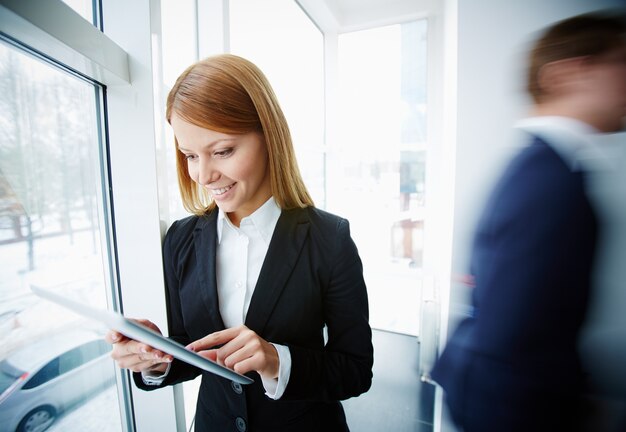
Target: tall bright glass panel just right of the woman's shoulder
<point>376,173</point>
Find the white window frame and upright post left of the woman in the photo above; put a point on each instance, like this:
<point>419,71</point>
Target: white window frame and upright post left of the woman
<point>54,31</point>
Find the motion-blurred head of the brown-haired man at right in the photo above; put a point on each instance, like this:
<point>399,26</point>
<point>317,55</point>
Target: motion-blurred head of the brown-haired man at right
<point>578,68</point>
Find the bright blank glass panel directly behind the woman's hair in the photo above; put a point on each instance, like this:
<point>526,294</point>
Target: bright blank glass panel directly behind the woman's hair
<point>279,38</point>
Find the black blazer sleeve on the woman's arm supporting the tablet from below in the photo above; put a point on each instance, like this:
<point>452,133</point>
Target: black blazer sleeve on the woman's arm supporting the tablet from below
<point>173,246</point>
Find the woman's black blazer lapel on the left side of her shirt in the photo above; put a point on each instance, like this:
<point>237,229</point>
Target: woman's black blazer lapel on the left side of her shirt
<point>205,239</point>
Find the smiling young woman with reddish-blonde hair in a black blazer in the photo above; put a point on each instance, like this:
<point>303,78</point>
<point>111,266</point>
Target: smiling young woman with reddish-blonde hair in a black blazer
<point>258,279</point>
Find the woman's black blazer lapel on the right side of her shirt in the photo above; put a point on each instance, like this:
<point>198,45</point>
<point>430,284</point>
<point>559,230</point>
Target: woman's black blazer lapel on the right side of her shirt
<point>287,241</point>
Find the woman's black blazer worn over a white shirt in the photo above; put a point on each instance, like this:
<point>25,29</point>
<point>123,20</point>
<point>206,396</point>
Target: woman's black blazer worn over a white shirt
<point>312,277</point>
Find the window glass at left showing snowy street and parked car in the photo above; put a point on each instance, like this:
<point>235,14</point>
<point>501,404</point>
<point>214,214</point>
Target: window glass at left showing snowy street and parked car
<point>51,236</point>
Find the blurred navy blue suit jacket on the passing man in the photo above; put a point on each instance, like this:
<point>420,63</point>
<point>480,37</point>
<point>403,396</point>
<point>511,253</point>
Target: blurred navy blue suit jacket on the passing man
<point>513,365</point>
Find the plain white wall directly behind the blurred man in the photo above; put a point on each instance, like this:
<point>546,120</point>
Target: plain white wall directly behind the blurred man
<point>491,41</point>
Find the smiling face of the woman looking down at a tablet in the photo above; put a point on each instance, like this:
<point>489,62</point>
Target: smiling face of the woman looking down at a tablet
<point>233,168</point>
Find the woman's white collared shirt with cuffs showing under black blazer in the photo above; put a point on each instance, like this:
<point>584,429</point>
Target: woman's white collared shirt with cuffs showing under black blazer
<point>240,256</point>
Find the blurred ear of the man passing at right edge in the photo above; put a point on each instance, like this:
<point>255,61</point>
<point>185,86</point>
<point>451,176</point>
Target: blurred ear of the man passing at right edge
<point>561,77</point>
